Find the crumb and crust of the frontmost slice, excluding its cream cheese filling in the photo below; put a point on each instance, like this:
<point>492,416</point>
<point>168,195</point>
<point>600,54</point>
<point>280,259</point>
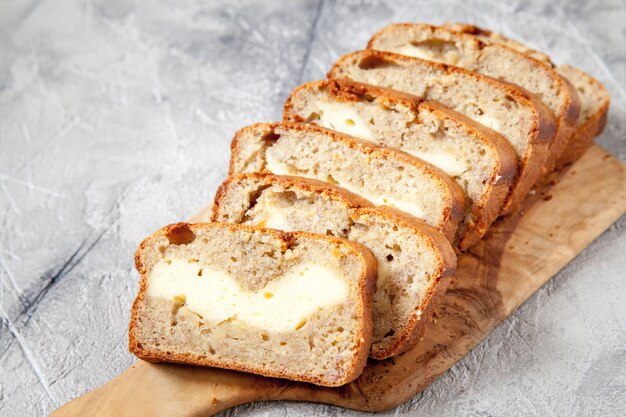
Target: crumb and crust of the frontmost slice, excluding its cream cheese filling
<point>329,348</point>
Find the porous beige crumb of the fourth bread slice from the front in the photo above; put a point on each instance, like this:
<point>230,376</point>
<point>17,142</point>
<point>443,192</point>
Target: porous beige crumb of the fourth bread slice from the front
<point>410,129</point>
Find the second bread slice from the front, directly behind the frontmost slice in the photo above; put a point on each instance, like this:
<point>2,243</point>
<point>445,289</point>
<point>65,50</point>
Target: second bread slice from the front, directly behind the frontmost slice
<point>415,262</point>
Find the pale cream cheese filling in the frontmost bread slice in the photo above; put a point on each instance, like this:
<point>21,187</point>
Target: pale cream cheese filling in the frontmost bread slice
<point>282,305</point>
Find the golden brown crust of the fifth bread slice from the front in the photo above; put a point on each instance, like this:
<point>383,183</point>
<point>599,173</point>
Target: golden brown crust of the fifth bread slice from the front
<point>543,124</point>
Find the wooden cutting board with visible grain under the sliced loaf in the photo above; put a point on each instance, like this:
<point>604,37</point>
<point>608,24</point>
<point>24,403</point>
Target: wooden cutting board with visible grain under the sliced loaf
<point>519,254</point>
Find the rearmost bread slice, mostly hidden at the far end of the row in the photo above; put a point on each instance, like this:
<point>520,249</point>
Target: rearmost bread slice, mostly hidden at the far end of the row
<point>594,98</point>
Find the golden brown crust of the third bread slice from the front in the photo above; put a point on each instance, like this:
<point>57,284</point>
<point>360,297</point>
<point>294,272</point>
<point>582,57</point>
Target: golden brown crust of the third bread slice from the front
<point>455,195</point>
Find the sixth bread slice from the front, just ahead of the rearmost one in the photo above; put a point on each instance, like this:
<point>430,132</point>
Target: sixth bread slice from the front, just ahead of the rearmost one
<point>443,44</point>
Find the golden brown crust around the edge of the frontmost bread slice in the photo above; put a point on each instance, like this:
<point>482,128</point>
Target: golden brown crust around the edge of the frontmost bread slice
<point>366,288</point>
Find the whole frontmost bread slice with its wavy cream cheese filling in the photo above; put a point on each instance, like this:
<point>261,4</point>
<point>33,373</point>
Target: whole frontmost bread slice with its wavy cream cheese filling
<point>287,305</point>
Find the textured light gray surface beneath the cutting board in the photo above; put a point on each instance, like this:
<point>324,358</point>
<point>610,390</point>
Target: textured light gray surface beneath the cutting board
<point>115,118</point>
